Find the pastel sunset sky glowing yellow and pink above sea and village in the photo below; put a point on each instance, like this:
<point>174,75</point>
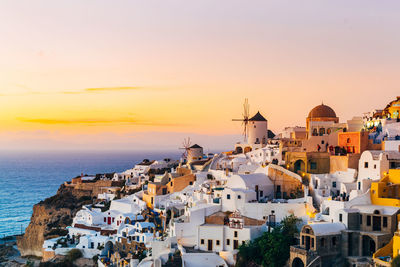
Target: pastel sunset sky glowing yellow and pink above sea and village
<point>126,75</point>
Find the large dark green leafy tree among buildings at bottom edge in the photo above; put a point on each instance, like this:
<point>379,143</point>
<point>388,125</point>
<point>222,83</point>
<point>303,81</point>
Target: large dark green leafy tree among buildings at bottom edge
<point>272,248</point>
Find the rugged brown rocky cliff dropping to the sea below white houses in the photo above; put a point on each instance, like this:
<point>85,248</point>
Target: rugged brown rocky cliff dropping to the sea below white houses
<point>50,217</point>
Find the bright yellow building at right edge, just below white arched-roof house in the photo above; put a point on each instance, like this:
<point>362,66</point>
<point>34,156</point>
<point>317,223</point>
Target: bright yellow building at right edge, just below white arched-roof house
<point>386,192</point>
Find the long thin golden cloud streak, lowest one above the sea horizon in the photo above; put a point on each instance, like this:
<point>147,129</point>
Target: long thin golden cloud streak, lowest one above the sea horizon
<point>94,121</point>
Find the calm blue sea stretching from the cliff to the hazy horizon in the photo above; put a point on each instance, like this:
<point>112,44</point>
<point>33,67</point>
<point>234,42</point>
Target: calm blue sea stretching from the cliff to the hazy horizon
<point>29,177</point>
